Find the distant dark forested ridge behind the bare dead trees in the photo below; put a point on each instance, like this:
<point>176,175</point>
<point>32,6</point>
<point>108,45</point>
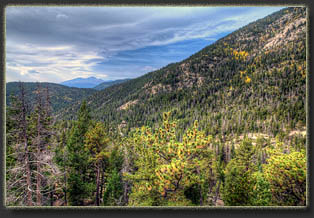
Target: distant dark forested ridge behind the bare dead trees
<point>60,96</point>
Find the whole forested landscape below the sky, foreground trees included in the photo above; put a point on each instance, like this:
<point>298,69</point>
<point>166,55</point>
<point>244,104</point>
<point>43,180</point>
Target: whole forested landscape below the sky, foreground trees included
<point>225,127</point>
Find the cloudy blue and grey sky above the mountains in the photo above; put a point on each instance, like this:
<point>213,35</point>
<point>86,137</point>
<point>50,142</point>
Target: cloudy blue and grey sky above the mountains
<point>55,44</point>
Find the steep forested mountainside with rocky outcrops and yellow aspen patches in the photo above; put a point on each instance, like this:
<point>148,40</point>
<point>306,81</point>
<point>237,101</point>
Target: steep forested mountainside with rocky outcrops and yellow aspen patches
<point>243,82</point>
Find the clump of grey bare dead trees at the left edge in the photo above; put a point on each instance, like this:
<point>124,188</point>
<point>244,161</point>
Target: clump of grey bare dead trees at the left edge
<point>28,135</point>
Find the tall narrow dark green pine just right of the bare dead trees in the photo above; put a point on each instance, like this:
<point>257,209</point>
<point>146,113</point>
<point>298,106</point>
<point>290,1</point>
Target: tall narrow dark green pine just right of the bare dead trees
<point>78,158</point>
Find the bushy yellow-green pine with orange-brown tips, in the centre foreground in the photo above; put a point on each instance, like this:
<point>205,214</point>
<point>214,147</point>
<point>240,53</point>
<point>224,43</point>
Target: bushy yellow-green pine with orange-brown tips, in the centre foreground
<point>166,166</point>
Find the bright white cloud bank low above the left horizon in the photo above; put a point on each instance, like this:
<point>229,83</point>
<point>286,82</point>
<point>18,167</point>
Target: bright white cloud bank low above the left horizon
<point>56,63</point>
